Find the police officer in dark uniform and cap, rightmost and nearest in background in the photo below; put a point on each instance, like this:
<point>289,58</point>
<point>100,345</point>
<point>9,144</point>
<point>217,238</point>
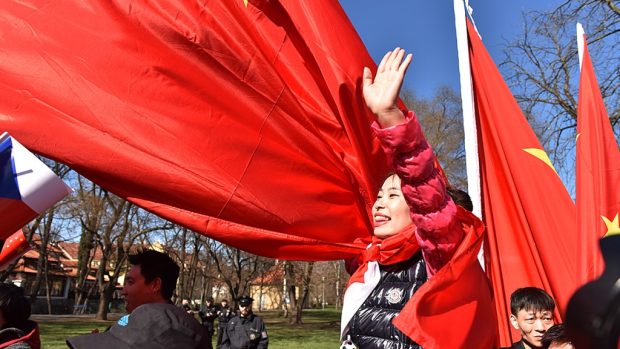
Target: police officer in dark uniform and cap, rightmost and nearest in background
<point>246,330</point>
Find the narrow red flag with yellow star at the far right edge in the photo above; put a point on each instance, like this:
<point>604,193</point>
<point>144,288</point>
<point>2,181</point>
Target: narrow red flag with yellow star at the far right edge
<point>597,174</point>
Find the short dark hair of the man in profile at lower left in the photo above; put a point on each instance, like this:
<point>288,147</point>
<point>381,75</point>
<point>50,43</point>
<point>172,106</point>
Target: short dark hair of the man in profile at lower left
<point>154,264</point>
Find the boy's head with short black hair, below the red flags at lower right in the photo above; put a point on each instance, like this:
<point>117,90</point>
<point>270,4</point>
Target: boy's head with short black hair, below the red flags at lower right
<point>532,315</point>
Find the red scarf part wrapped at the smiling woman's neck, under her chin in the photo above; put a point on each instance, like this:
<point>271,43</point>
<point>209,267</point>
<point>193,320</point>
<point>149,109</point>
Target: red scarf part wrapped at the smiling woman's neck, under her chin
<point>394,249</point>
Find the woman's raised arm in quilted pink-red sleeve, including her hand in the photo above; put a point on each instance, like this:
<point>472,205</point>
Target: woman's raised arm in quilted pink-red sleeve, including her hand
<point>412,158</point>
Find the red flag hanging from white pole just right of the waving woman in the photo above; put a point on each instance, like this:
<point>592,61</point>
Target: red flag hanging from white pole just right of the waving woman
<point>527,211</point>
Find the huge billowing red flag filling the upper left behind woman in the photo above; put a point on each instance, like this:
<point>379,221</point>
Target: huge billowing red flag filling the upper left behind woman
<point>244,122</point>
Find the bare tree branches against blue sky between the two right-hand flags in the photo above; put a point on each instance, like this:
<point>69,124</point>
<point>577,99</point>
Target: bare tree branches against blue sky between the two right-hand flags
<point>542,69</point>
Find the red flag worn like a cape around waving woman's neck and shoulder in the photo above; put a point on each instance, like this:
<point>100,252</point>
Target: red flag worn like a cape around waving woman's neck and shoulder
<point>458,293</point>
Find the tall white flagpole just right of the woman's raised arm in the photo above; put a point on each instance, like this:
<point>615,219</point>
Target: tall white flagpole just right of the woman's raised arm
<point>469,114</point>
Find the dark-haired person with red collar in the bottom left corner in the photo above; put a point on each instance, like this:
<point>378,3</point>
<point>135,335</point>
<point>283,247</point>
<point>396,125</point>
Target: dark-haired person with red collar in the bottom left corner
<point>16,330</point>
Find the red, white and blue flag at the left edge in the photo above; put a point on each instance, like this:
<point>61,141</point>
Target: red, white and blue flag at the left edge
<point>27,186</point>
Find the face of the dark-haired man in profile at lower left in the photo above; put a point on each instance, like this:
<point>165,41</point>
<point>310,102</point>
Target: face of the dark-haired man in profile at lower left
<point>137,291</point>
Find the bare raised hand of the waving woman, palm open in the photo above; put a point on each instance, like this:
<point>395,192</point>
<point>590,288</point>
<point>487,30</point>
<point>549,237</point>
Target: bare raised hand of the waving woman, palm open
<point>381,93</point>
